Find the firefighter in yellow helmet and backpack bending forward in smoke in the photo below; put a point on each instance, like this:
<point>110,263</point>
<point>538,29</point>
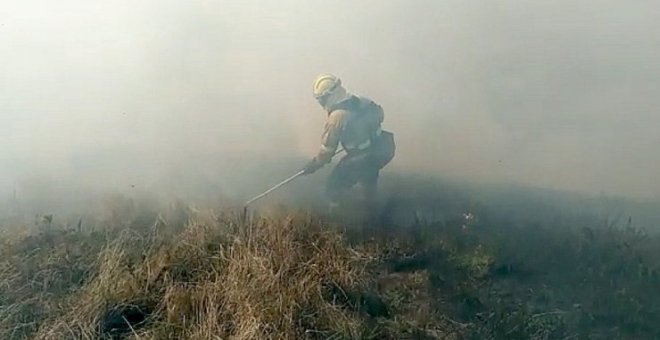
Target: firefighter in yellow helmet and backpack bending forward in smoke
<point>355,123</point>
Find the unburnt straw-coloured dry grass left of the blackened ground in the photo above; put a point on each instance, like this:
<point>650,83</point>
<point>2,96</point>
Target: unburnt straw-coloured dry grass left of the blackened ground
<point>288,276</point>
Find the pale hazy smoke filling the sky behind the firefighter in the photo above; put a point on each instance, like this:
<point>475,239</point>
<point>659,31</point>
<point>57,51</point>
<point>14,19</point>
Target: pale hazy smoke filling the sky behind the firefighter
<point>560,94</point>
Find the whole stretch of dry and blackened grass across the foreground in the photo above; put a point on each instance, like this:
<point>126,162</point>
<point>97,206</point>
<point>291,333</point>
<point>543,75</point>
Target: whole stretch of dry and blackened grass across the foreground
<point>189,274</point>
